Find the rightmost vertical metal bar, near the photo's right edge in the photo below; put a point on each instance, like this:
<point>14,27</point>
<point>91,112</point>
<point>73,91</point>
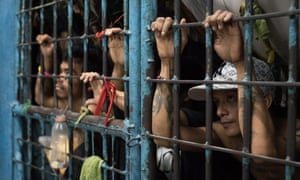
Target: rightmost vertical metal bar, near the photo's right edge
<point>292,91</point>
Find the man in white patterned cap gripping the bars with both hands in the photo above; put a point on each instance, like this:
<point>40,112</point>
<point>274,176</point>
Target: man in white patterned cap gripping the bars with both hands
<point>267,133</point>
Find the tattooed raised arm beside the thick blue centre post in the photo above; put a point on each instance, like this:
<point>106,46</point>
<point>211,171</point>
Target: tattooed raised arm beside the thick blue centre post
<point>162,110</point>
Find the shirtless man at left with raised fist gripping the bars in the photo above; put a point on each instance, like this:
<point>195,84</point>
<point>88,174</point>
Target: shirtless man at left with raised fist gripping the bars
<point>62,84</point>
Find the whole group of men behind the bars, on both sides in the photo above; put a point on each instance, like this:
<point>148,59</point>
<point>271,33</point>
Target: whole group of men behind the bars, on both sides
<point>268,130</point>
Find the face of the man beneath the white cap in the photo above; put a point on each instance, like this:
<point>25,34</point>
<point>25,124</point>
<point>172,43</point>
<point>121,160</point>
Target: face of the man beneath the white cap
<point>227,111</point>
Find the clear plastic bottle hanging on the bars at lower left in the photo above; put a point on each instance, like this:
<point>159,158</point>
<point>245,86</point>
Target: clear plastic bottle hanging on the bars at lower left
<point>59,143</point>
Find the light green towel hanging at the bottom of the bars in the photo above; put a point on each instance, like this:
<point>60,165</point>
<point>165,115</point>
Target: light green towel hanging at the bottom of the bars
<point>91,168</point>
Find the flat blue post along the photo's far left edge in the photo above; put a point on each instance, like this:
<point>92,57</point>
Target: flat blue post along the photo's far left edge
<point>8,82</point>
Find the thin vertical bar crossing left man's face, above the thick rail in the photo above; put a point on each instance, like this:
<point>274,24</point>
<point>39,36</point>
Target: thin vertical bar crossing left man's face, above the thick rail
<point>70,59</point>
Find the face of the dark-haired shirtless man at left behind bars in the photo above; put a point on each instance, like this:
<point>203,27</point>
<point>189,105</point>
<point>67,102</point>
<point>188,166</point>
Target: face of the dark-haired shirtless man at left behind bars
<point>62,84</point>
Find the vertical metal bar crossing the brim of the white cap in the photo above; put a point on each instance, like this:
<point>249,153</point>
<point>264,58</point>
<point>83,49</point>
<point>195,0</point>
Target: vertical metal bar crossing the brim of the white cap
<point>208,76</point>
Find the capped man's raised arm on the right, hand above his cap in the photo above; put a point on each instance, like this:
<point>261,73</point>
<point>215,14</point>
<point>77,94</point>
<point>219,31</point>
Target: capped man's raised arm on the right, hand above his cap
<point>229,46</point>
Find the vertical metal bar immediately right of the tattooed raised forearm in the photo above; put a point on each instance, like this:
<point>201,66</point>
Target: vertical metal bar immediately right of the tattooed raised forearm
<point>176,89</point>
